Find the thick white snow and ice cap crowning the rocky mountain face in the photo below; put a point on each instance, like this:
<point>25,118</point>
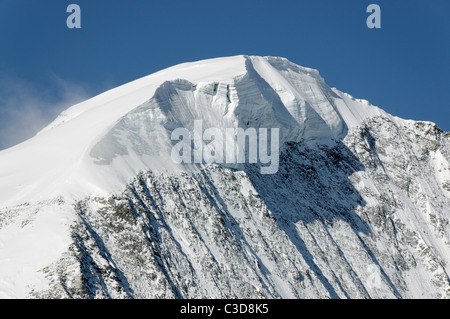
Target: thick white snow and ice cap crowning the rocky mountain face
<point>97,146</point>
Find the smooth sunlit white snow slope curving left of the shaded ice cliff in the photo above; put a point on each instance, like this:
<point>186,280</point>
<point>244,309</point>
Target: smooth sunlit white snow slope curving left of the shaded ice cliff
<point>57,159</point>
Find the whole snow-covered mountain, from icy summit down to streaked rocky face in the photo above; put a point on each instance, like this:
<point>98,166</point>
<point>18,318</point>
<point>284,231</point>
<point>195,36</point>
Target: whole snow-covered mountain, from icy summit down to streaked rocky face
<point>94,207</point>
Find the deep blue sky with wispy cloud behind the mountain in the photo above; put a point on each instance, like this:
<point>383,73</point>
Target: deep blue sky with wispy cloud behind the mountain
<point>404,67</point>
